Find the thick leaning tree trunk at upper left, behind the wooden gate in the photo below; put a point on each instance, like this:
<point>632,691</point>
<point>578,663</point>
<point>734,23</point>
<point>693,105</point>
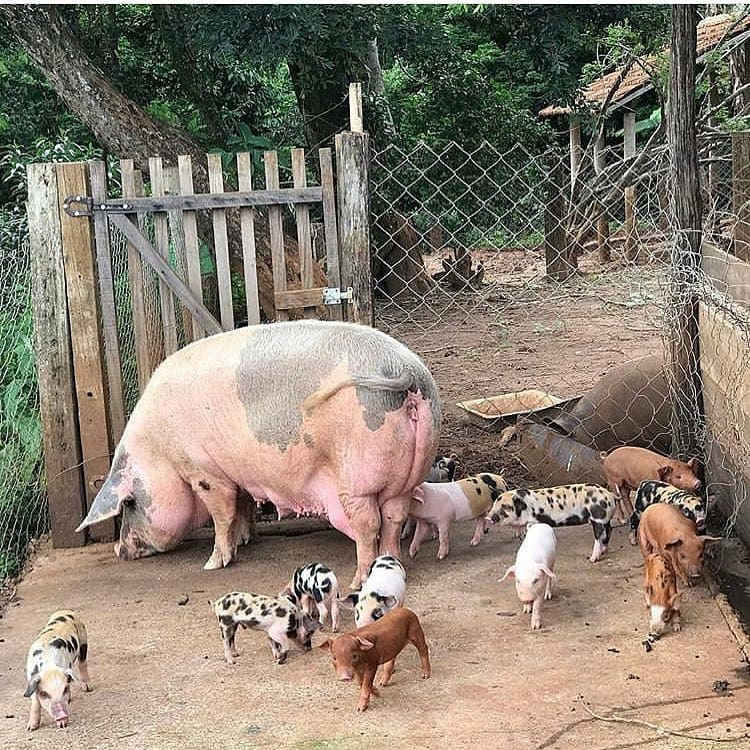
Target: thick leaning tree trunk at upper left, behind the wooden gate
<point>123,128</point>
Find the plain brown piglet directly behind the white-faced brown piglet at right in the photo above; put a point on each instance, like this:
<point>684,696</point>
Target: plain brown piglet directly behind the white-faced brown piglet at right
<point>665,530</point>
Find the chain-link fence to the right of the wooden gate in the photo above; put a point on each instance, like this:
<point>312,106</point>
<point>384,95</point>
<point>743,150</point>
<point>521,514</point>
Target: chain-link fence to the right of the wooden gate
<point>546,305</point>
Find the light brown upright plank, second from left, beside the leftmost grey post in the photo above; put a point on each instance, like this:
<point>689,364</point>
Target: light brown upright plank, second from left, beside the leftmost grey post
<point>83,312</point>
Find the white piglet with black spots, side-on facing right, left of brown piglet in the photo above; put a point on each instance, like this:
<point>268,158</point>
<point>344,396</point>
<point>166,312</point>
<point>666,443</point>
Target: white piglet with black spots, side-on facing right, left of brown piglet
<point>285,624</point>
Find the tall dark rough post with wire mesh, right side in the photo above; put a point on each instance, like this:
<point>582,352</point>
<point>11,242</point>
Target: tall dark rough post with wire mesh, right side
<point>683,353</point>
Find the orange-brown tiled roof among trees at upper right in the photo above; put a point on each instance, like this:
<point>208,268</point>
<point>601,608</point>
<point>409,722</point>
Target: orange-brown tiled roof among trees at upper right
<point>710,32</point>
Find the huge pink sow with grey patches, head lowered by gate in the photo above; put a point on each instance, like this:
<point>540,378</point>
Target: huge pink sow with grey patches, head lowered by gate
<point>320,418</point>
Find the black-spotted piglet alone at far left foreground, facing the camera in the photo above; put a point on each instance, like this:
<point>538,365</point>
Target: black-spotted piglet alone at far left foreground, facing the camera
<point>56,658</point>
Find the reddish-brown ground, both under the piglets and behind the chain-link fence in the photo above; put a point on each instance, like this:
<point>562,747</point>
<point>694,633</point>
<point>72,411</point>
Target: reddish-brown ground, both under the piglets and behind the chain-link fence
<point>156,665</point>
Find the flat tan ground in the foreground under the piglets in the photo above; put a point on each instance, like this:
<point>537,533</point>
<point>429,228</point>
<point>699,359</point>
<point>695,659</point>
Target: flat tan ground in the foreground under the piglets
<point>160,681</point>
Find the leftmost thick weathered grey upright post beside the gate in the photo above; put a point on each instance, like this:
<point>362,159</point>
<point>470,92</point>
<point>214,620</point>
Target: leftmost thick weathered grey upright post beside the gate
<point>54,365</point>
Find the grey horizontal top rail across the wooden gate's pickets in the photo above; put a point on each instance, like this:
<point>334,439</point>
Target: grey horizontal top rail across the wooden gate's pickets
<point>275,197</point>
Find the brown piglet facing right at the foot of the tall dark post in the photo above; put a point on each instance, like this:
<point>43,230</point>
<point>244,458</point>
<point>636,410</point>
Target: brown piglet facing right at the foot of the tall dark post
<point>626,467</point>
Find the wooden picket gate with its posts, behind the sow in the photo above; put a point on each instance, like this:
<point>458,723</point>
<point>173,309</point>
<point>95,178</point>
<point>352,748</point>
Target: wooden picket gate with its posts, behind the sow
<point>244,235</point>
